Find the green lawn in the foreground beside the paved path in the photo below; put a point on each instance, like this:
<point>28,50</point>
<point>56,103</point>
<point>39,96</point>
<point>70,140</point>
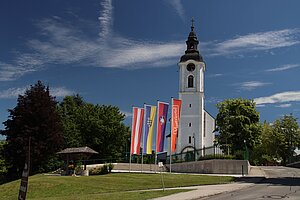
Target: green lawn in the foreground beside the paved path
<point>111,186</point>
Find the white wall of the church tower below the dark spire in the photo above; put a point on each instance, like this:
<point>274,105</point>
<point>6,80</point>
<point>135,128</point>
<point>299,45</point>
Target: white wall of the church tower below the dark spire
<point>192,112</point>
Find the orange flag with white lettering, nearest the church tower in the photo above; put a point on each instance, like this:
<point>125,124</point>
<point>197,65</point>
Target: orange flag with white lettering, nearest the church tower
<point>176,107</point>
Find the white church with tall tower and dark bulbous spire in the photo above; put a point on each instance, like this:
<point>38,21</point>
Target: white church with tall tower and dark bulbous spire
<point>196,125</point>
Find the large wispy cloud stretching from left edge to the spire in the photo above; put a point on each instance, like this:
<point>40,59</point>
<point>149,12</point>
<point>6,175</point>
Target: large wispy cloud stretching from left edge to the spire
<point>63,43</point>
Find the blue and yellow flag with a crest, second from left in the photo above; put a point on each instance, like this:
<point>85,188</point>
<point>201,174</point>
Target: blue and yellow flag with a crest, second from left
<point>149,118</point>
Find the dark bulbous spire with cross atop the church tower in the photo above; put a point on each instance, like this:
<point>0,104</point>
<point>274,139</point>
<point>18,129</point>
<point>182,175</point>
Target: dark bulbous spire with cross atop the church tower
<point>192,46</point>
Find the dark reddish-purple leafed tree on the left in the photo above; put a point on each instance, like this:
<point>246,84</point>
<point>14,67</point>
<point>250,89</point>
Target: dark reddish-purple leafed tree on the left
<point>35,118</point>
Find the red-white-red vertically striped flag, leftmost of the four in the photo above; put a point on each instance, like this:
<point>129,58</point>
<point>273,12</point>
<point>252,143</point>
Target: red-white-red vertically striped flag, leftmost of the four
<point>136,130</point>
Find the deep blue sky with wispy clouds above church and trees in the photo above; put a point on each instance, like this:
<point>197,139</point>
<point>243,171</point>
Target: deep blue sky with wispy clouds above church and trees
<point>125,52</point>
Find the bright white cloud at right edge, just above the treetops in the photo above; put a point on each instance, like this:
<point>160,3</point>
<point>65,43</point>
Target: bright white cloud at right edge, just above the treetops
<point>282,97</point>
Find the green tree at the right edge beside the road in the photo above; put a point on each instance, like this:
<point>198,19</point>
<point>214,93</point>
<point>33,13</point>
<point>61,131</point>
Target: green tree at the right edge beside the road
<point>286,137</point>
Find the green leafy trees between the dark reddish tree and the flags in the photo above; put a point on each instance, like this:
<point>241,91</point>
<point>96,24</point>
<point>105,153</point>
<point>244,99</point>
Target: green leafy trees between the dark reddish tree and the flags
<point>100,127</point>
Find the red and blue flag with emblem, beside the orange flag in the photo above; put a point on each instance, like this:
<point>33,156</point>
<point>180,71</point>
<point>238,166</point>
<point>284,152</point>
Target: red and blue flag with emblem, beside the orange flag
<point>162,113</point>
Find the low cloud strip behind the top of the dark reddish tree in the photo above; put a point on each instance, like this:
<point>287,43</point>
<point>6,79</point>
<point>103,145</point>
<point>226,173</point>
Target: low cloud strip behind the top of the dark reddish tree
<point>12,93</point>
